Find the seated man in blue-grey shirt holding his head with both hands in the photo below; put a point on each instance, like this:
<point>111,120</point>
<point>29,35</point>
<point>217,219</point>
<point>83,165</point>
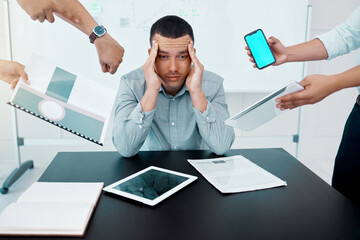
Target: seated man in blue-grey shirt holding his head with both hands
<point>171,102</point>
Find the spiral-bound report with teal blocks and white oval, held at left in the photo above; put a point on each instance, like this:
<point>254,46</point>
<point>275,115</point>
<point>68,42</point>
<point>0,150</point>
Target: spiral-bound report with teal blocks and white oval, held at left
<point>78,105</point>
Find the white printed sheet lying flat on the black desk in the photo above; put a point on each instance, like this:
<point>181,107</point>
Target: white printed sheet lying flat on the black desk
<point>235,174</point>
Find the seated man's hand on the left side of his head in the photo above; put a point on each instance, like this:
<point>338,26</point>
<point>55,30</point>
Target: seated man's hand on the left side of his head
<point>153,81</point>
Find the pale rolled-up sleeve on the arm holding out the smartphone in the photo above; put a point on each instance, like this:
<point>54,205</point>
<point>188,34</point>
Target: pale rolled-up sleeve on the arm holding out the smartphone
<point>344,38</point>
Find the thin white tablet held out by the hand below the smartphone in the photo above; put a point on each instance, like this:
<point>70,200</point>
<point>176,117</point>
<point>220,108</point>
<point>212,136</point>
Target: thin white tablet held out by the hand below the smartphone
<point>262,111</point>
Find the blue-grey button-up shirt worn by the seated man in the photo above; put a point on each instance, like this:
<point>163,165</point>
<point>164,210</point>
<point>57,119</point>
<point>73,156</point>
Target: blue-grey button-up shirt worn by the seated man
<point>174,124</point>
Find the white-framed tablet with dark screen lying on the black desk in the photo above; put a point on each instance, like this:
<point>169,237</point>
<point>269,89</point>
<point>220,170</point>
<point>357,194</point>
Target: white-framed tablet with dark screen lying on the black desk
<point>151,185</point>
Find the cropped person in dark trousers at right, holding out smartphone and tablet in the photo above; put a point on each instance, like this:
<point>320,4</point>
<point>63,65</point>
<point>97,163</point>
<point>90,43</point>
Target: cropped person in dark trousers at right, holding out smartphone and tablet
<point>341,40</point>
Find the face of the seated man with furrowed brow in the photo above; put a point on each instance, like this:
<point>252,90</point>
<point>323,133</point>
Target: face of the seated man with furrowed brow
<point>173,62</point>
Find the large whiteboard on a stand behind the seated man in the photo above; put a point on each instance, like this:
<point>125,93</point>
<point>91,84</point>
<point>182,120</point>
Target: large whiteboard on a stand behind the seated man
<point>219,29</point>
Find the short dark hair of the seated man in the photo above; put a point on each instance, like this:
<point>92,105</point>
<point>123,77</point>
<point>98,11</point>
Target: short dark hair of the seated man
<point>171,27</point>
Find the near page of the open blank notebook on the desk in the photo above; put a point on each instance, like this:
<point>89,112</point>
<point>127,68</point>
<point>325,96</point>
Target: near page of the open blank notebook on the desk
<point>45,218</point>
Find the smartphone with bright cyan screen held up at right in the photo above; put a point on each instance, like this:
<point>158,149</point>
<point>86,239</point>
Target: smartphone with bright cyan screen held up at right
<point>259,48</point>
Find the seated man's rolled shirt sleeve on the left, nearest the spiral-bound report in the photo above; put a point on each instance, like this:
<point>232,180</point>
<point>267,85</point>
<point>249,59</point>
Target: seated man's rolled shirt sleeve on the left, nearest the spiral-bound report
<point>131,125</point>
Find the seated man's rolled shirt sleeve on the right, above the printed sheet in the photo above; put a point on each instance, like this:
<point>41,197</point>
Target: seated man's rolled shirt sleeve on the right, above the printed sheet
<point>218,136</point>
